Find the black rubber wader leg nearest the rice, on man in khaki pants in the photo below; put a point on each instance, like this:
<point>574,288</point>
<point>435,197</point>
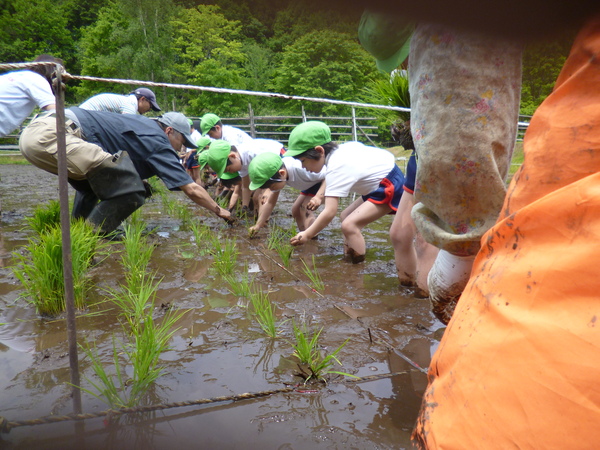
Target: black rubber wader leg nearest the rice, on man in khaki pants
<point>120,190</point>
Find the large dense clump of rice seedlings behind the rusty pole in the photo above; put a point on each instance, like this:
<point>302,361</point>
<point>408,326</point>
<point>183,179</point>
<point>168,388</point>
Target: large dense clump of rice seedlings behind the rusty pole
<point>40,267</point>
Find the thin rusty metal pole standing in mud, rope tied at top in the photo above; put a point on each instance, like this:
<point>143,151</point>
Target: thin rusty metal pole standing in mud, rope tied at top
<point>65,223</point>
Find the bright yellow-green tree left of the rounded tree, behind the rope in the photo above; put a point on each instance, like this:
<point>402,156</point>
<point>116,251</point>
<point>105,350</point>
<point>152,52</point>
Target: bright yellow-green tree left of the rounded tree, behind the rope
<point>209,50</point>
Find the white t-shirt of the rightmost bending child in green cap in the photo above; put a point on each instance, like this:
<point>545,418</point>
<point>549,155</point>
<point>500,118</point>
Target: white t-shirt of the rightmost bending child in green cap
<point>354,167</point>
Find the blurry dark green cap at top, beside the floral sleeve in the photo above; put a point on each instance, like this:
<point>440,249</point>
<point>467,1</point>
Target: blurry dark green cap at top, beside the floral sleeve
<point>386,37</point>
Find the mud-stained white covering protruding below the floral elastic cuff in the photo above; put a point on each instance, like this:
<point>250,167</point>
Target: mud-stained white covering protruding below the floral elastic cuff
<point>446,281</point>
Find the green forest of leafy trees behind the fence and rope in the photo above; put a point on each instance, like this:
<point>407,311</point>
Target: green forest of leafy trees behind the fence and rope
<point>290,47</point>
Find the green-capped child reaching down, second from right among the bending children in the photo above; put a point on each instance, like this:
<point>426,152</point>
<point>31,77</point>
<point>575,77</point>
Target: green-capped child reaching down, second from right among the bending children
<point>272,172</point>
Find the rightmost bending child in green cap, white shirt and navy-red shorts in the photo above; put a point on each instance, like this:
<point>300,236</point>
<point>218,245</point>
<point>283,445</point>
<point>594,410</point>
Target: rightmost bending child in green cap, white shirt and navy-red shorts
<point>351,167</point>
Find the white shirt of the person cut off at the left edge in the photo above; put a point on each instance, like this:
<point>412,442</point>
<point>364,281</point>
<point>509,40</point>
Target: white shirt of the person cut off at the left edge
<point>20,93</point>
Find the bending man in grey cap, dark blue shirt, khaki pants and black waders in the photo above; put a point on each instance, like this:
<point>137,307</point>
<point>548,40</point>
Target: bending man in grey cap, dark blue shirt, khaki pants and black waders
<point>108,156</point>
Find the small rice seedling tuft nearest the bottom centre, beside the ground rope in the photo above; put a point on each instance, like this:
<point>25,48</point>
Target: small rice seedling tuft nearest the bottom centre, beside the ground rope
<point>308,352</point>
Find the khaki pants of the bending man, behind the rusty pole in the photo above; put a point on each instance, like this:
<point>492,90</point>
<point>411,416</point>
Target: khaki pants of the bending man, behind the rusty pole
<point>38,145</point>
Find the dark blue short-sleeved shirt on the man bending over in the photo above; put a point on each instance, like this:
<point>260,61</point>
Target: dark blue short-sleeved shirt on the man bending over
<point>142,138</point>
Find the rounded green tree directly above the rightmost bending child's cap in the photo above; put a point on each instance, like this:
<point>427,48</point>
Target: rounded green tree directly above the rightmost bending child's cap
<point>324,64</point>
